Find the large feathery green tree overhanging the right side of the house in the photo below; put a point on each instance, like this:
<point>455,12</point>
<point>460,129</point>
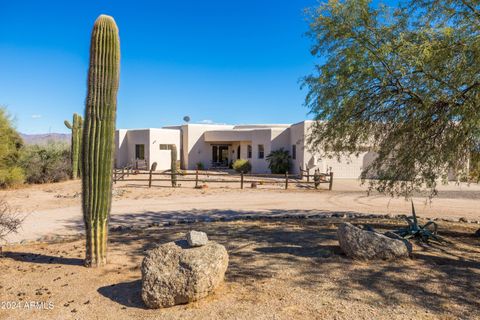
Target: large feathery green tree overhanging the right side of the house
<point>403,82</point>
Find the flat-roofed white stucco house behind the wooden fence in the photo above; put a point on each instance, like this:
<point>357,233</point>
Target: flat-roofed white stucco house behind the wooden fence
<point>216,146</point>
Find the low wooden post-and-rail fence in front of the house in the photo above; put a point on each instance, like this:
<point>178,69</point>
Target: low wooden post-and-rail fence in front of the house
<point>201,177</point>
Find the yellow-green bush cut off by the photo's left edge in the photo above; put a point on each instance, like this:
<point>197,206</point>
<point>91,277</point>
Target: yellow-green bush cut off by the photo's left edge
<point>11,174</point>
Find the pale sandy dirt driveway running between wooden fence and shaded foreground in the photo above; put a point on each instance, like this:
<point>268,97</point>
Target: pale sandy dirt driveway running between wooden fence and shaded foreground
<point>54,209</point>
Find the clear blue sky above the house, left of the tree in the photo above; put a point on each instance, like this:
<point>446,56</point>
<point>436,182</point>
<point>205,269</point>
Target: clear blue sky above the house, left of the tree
<point>216,61</point>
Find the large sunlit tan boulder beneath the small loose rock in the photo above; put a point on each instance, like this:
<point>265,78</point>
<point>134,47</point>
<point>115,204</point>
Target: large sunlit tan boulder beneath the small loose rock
<point>175,273</point>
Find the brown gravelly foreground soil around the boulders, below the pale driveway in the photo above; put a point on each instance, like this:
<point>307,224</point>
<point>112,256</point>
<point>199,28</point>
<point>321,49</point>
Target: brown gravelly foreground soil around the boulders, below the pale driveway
<point>288,269</point>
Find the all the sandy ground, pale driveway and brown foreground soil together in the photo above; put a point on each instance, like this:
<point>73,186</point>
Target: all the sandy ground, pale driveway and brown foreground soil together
<point>279,268</point>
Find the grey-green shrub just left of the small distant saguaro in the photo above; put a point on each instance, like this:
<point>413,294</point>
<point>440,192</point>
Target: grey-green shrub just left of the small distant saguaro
<point>46,163</point>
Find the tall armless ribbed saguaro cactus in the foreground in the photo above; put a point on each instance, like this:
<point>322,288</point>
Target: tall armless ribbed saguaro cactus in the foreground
<point>99,137</point>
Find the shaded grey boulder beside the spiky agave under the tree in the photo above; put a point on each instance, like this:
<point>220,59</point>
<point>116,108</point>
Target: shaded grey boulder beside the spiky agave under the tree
<point>362,244</point>
